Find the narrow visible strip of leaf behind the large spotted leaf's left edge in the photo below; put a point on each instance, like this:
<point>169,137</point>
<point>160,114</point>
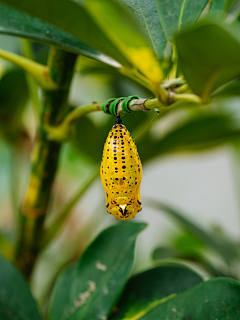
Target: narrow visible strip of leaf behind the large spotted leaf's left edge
<point>61,293</point>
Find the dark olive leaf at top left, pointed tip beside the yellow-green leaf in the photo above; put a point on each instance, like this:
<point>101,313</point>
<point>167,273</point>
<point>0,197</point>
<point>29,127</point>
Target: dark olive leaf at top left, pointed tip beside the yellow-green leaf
<point>71,18</point>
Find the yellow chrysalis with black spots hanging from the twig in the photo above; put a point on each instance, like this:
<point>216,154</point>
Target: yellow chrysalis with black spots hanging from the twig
<point>121,173</point>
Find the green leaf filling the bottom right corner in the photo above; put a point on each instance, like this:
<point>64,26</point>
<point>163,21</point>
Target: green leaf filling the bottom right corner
<point>218,298</point>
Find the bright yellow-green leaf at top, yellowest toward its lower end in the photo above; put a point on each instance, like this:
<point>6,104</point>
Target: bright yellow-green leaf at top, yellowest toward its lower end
<point>121,29</point>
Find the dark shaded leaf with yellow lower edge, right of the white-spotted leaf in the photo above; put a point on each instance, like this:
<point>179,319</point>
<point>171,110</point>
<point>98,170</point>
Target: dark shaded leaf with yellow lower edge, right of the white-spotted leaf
<point>145,290</point>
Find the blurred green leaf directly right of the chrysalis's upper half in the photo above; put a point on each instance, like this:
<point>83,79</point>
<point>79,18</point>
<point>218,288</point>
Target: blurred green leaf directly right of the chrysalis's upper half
<point>199,132</point>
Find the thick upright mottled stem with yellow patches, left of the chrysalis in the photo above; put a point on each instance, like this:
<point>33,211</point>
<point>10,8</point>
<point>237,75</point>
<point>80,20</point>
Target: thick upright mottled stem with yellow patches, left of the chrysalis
<point>44,163</point>
